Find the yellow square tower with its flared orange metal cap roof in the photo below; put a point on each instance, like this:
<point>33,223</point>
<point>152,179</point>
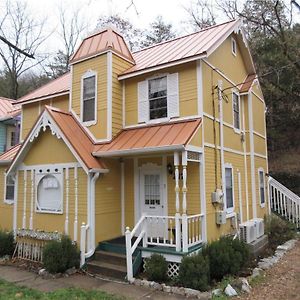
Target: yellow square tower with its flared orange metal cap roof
<point>96,93</point>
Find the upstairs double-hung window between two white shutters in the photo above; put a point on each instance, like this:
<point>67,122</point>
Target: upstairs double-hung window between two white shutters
<point>158,105</point>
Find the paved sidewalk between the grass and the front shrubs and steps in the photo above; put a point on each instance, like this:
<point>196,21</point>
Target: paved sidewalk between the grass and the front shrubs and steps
<point>25,278</point>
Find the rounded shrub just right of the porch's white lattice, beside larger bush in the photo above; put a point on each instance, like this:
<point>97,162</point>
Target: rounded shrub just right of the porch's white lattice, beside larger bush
<point>194,272</point>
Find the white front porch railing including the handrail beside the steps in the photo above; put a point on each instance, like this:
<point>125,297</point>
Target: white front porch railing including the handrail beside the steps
<point>179,232</point>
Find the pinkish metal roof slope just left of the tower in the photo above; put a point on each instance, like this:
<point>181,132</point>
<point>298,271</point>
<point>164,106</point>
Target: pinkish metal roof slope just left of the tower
<point>55,87</point>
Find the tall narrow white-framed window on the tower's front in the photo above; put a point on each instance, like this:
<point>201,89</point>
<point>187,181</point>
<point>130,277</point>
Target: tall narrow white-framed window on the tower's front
<point>89,98</point>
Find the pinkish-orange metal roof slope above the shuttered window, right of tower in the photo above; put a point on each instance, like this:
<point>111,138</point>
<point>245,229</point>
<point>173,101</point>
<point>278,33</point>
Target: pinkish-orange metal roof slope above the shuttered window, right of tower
<point>180,48</point>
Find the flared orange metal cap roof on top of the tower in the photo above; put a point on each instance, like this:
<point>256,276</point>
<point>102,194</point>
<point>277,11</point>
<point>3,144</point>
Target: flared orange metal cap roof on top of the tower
<point>99,42</point>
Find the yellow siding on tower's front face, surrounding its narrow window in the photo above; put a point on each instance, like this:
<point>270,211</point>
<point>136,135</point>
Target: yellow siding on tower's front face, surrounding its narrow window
<point>99,65</point>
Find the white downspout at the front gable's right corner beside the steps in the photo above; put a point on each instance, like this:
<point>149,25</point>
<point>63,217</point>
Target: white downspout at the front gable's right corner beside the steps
<point>92,178</point>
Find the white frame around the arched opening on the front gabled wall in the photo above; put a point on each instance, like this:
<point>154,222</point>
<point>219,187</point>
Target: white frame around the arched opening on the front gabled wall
<point>60,178</point>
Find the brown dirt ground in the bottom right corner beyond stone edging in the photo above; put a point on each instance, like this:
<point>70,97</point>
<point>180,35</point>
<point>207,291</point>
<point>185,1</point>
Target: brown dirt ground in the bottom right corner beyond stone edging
<point>282,281</point>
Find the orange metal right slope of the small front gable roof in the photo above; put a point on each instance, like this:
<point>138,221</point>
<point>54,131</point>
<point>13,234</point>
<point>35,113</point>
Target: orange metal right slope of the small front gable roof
<point>76,136</point>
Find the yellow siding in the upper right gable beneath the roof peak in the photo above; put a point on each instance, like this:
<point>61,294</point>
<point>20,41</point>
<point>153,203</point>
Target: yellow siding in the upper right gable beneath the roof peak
<point>227,63</point>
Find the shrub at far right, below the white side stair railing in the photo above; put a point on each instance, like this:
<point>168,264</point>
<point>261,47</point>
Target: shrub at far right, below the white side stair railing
<point>278,230</point>
